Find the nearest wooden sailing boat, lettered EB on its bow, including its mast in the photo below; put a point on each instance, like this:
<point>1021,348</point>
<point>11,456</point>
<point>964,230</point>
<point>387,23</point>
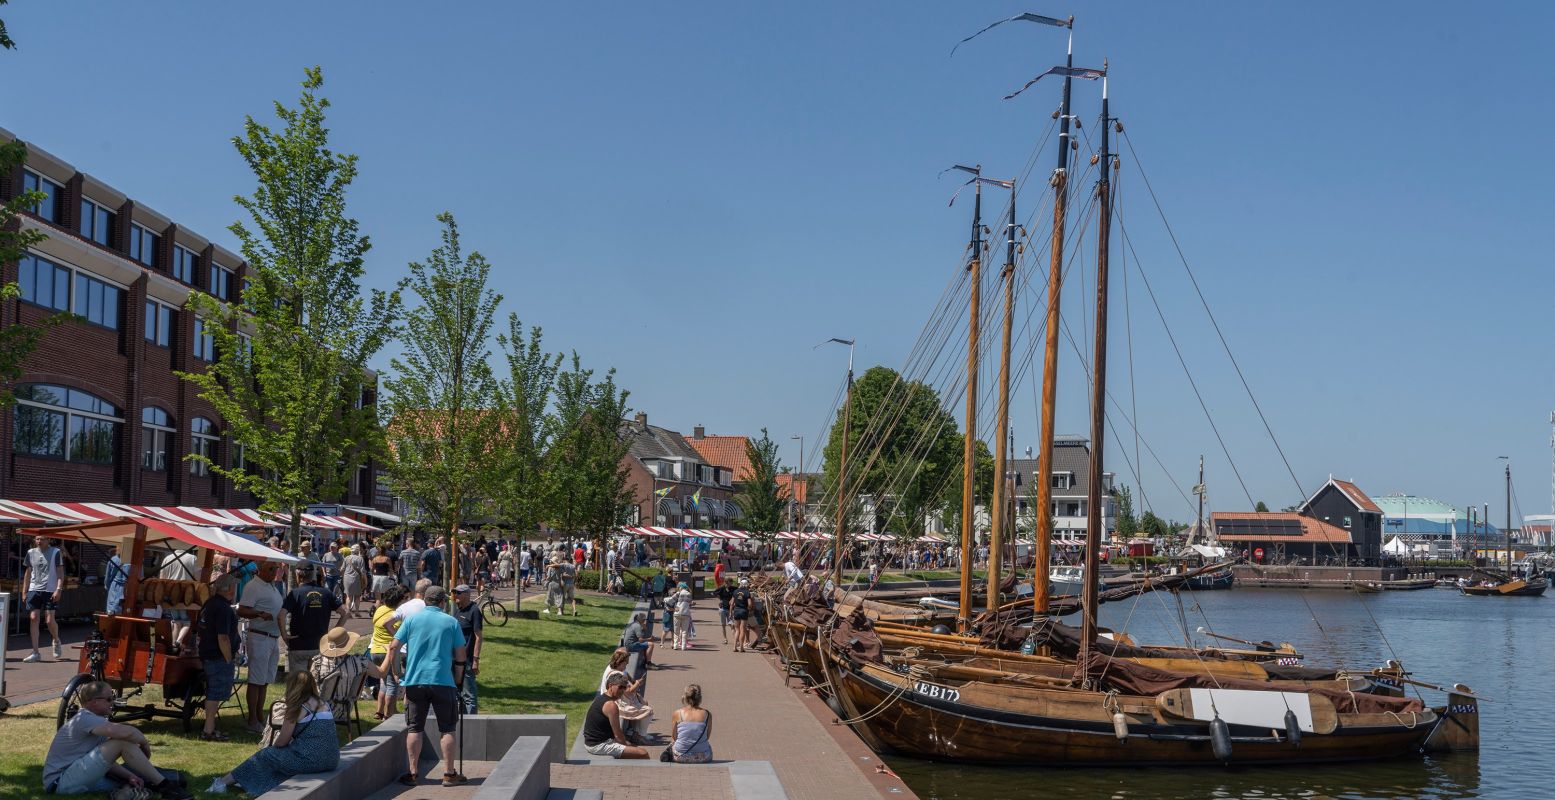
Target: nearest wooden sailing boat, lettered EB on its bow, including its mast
<point>1103,709</point>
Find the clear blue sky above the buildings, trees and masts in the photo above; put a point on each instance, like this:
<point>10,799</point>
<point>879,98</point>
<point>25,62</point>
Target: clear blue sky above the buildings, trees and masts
<point>696,194</point>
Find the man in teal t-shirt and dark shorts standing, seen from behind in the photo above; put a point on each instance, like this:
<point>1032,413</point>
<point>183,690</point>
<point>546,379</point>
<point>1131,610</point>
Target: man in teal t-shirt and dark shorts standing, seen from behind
<point>435,667</point>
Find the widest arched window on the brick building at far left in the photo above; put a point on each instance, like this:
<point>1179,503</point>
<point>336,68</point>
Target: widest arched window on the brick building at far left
<point>61,423</point>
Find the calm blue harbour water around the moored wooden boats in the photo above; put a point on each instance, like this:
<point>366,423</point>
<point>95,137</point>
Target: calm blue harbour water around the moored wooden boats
<point>1501,648</point>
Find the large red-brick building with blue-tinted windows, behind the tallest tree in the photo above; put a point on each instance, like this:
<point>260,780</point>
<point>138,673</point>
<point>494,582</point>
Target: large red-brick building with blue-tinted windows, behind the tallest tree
<point>100,415</point>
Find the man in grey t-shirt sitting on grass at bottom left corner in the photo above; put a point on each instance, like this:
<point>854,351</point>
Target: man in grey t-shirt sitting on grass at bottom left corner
<point>86,751</point>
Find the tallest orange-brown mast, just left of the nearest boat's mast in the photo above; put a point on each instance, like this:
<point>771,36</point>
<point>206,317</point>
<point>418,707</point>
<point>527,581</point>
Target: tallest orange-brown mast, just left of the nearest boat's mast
<point>1050,356</point>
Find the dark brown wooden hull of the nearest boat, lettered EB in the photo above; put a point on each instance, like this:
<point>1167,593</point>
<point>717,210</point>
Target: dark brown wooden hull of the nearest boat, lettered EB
<point>928,721</point>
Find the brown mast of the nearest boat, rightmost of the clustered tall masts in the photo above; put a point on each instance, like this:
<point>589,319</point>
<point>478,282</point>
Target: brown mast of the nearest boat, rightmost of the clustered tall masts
<point>1095,527</point>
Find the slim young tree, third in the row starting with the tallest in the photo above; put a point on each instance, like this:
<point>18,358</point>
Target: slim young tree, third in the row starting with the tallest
<point>517,486</point>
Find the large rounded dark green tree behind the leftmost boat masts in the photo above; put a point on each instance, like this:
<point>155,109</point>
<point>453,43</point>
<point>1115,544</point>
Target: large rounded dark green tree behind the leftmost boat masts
<point>903,449</point>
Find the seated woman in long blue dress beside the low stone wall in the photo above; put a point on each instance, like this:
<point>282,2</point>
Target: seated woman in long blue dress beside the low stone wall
<point>307,743</point>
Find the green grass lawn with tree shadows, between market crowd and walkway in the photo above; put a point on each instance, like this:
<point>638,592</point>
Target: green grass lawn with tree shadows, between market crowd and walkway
<point>529,667</point>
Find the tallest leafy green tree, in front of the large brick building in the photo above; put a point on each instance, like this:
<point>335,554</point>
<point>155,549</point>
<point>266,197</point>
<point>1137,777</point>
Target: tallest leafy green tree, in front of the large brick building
<point>292,368</point>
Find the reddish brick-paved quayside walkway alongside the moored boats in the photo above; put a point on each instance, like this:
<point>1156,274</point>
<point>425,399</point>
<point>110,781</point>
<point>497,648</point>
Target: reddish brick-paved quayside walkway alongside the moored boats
<point>757,718</point>
